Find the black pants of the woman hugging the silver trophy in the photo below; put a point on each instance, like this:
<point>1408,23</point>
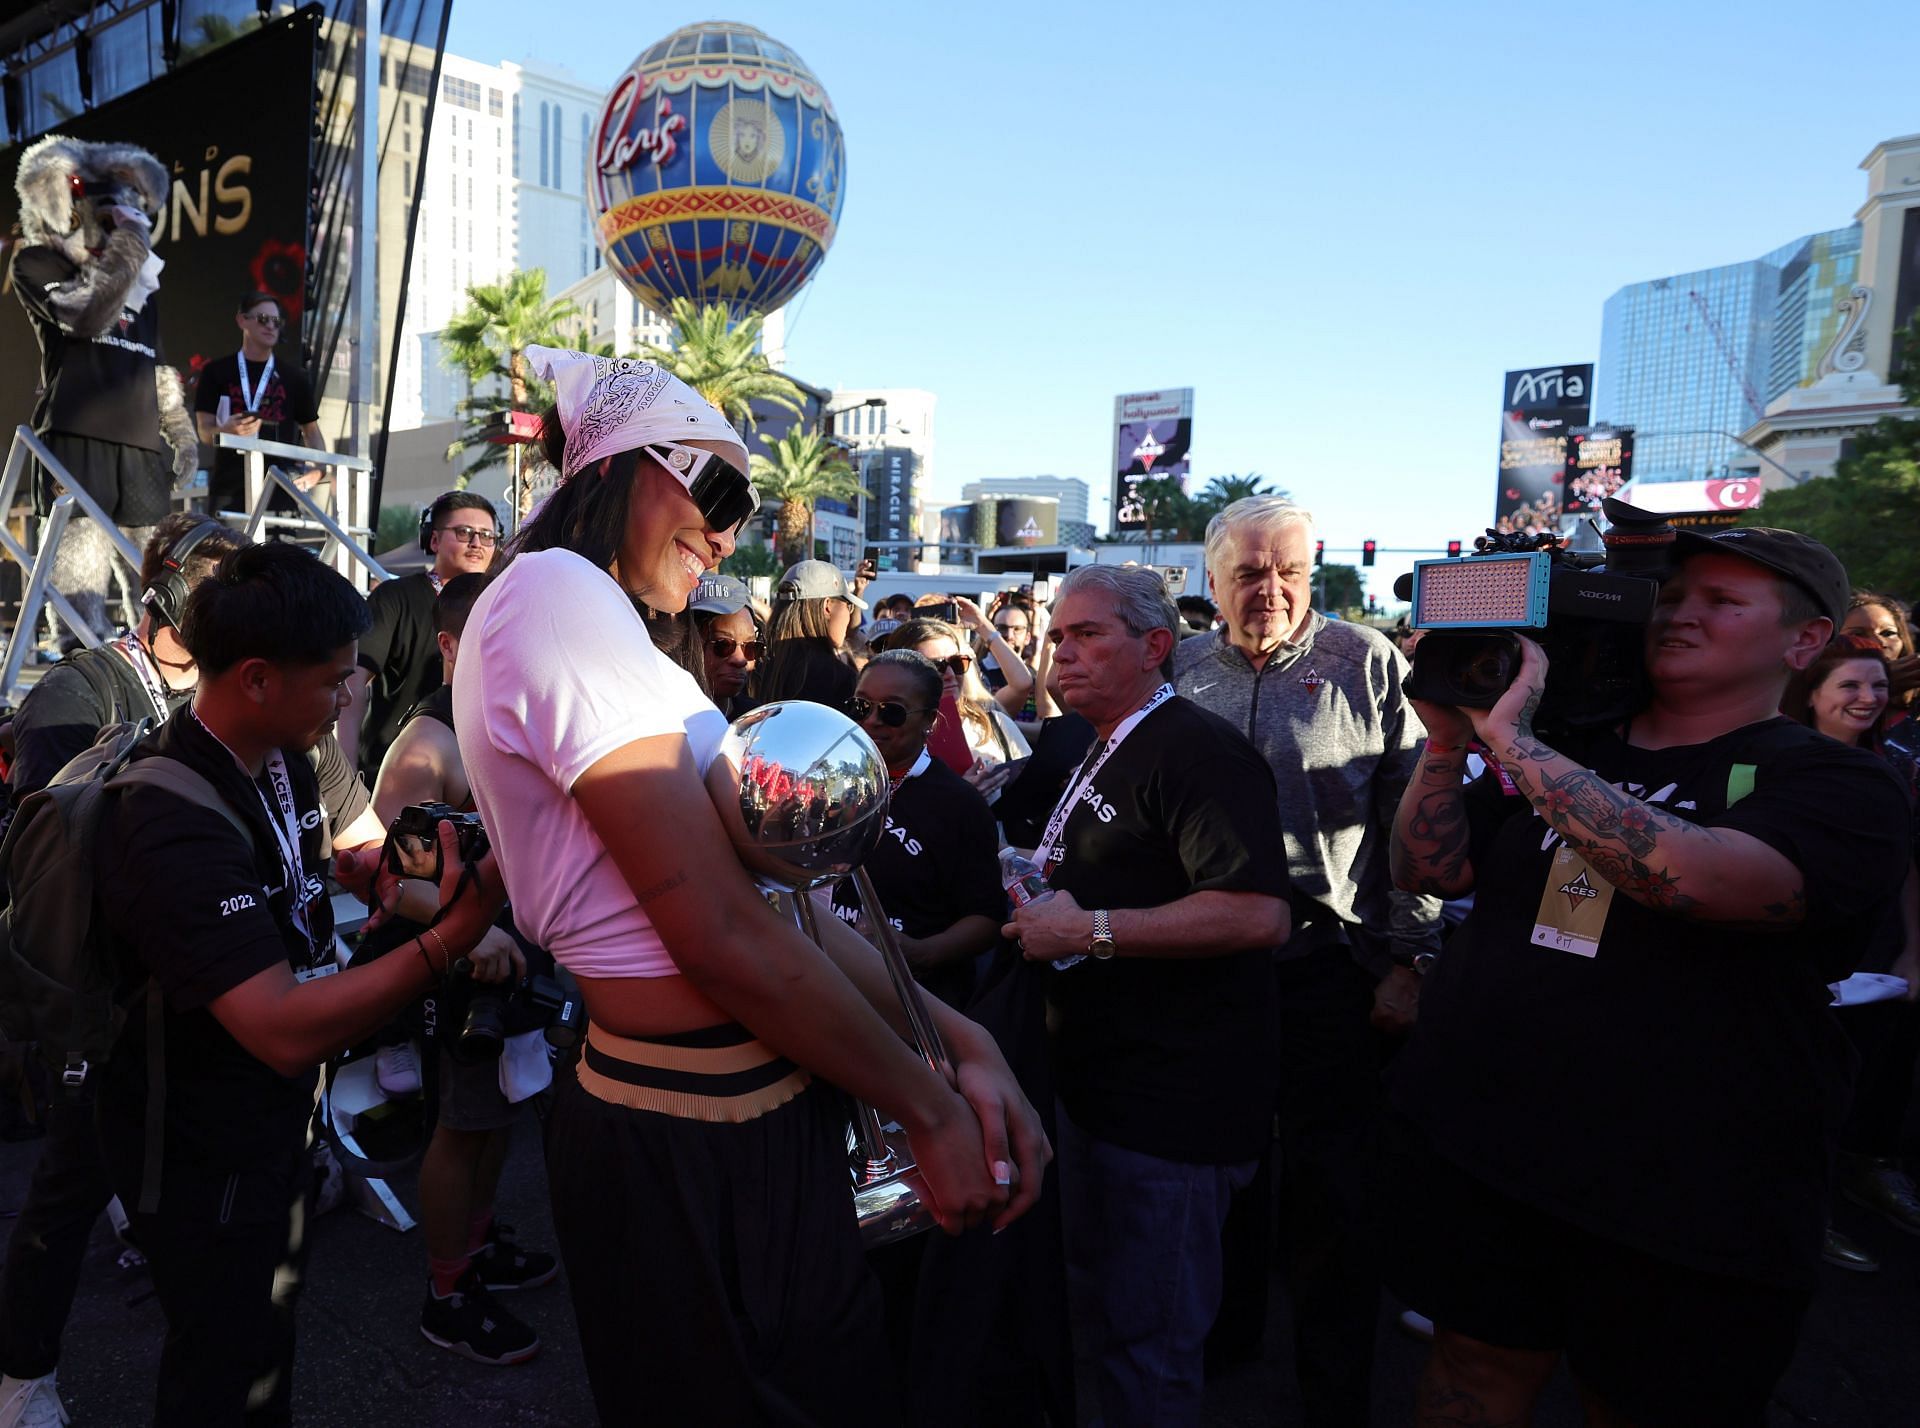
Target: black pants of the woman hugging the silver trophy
<point>715,1270</point>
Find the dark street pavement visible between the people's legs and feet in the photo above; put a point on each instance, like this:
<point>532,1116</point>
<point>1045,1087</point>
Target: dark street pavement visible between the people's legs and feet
<point>364,1362</point>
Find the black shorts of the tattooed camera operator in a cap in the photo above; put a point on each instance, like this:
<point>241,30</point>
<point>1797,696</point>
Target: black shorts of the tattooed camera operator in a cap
<point>1662,1345</point>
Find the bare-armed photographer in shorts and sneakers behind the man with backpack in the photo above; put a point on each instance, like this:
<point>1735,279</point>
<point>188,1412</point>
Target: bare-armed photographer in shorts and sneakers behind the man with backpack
<point>469,1256</point>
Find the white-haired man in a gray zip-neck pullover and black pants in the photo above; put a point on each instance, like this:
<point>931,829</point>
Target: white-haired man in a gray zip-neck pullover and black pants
<point>1324,705</point>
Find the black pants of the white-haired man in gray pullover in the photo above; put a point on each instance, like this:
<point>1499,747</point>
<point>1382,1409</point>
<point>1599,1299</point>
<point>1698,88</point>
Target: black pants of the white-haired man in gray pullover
<point>1330,1107</point>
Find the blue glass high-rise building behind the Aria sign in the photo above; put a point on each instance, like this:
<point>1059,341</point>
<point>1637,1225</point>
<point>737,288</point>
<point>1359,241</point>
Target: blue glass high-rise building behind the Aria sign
<point>1692,360</point>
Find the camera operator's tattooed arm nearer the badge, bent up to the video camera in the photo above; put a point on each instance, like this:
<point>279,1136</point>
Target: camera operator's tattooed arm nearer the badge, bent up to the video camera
<point>1650,855</point>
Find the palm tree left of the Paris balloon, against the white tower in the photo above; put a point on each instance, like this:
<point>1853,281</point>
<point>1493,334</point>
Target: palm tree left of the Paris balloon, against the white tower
<point>489,341</point>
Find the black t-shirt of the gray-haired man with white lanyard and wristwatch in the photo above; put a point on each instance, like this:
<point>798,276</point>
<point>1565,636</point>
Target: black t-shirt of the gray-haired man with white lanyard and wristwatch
<point>1172,1057</point>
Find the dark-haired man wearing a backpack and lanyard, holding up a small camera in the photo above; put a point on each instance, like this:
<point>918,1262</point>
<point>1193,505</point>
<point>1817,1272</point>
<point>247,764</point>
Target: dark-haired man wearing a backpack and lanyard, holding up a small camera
<point>233,936</point>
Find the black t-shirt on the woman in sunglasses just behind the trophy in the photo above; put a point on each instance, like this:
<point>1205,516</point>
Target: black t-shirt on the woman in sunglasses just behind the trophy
<point>936,865</point>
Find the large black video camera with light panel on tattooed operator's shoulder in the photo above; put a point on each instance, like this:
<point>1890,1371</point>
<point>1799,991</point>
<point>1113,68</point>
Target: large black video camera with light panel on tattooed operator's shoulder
<point>1589,611</point>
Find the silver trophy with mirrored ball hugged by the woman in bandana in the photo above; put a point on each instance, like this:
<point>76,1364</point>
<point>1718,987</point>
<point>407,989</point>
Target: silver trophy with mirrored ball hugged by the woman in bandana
<point>813,803</point>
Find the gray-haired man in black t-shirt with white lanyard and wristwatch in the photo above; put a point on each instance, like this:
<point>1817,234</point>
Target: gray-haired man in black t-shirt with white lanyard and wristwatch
<point>1170,895</point>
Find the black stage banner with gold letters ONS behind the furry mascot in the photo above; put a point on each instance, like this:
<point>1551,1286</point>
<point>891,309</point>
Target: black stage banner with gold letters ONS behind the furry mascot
<point>235,220</point>
